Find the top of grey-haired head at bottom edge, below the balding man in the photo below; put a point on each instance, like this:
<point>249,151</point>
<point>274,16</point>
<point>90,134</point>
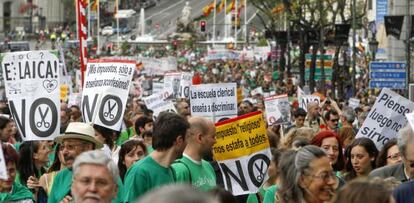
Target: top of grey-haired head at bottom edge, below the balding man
<point>176,193</point>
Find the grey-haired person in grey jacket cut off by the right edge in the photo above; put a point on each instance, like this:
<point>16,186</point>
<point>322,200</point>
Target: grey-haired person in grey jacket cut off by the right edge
<point>403,171</point>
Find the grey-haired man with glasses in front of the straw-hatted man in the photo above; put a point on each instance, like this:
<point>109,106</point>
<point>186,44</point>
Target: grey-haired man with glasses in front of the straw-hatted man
<point>95,178</point>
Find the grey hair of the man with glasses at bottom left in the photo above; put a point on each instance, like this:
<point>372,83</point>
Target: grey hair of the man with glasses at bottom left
<point>96,157</point>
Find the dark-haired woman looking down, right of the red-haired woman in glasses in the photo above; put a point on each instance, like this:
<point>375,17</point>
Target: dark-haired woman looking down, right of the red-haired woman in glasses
<point>361,155</point>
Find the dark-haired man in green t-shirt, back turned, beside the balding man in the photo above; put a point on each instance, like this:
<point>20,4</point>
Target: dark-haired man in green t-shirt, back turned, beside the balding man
<point>154,170</point>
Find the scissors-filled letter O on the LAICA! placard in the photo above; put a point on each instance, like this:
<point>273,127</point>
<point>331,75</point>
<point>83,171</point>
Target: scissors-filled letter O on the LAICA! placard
<point>49,125</point>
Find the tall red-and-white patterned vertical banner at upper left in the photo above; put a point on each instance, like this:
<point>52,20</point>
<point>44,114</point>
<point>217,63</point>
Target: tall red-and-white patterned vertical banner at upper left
<point>82,34</point>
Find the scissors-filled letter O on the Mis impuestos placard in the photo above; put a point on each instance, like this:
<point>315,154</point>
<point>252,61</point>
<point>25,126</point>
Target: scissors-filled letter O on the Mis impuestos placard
<point>108,117</point>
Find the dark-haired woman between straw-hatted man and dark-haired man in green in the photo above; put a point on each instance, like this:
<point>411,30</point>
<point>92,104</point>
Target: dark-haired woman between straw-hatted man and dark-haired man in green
<point>131,151</point>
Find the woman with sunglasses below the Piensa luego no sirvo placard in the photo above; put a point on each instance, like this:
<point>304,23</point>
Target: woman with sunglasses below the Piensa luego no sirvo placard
<point>389,154</point>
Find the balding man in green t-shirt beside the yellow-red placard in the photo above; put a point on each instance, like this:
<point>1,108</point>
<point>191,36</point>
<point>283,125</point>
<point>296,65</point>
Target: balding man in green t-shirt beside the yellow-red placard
<point>192,168</point>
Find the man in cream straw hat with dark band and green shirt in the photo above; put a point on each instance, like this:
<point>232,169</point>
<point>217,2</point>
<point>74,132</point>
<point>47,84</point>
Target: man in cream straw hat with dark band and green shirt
<point>78,138</point>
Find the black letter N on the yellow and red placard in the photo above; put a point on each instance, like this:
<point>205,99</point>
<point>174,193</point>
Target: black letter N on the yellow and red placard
<point>239,178</point>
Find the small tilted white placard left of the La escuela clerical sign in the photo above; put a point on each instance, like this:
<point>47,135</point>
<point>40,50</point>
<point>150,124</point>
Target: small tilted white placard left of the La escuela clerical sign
<point>158,103</point>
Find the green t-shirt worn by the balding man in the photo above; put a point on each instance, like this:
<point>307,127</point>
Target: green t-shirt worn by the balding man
<point>201,174</point>
